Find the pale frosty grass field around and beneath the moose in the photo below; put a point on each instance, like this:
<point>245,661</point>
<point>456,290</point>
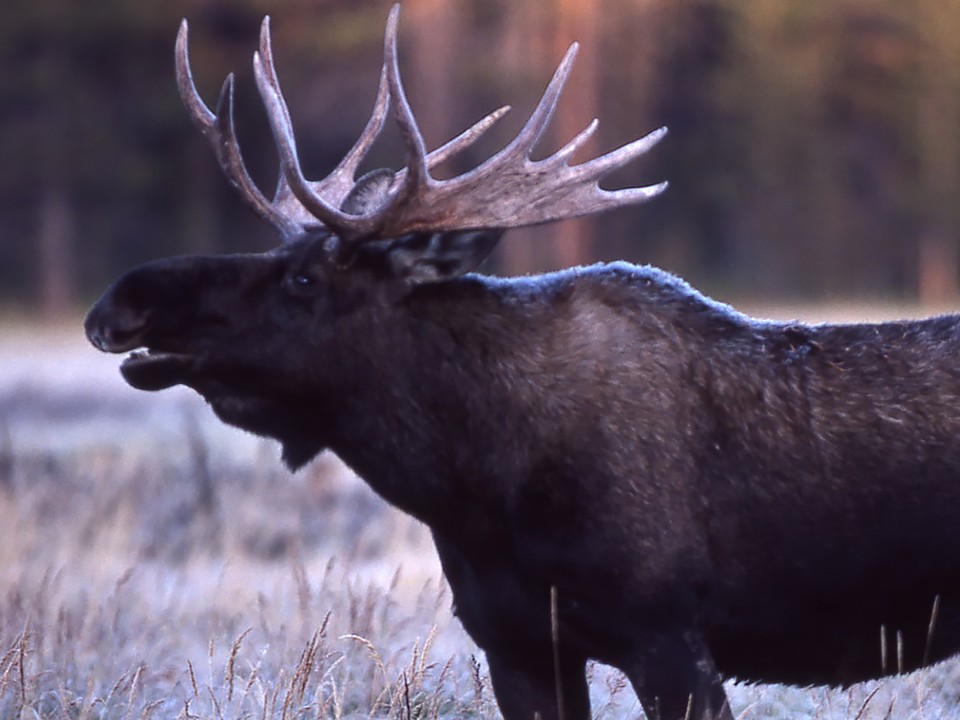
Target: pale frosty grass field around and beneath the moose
<point>154,563</point>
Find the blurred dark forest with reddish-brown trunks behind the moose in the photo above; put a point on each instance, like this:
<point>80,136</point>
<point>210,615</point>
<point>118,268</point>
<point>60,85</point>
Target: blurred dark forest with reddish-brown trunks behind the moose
<point>814,150</point>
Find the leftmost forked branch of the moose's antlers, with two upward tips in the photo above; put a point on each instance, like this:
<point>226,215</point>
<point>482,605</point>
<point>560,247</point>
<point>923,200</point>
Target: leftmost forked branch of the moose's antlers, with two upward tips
<point>218,127</point>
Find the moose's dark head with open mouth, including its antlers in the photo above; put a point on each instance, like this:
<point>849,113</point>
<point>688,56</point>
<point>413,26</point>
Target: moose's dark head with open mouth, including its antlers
<point>256,335</point>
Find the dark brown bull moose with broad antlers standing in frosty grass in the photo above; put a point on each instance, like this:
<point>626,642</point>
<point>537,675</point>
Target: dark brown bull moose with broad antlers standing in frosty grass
<point>612,465</point>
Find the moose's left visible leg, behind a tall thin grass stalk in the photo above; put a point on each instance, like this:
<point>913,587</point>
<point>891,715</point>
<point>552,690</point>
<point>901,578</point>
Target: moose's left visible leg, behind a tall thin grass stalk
<point>527,687</point>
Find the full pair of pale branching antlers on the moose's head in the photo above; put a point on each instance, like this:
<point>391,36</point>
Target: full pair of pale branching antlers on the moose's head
<point>507,190</point>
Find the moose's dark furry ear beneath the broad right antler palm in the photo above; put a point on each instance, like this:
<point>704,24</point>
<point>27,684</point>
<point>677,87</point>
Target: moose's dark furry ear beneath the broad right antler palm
<point>434,257</point>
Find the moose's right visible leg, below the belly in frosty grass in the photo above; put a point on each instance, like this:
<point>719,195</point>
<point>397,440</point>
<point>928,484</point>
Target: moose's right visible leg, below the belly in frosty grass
<point>675,678</point>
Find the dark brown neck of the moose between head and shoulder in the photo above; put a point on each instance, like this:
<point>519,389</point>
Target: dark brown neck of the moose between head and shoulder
<point>430,412</point>
